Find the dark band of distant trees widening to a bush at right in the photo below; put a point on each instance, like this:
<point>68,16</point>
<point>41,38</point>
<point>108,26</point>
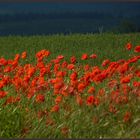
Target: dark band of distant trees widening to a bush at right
<point>126,24</point>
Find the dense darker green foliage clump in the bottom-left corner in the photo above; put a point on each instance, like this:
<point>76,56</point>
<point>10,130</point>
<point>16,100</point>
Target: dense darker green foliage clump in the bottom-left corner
<point>11,122</point>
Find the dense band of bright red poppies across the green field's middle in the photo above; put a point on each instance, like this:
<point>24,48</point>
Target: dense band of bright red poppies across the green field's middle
<point>113,82</point>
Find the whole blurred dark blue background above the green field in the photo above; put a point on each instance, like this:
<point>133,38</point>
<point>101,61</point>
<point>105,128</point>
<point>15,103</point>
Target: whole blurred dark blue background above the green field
<point>52,18</point>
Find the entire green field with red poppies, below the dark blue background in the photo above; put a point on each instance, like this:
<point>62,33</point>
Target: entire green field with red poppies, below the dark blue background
<point>74,86</point>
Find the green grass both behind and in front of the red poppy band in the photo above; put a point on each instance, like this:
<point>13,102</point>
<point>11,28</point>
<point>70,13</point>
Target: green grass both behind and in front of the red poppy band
<point>13,118</point>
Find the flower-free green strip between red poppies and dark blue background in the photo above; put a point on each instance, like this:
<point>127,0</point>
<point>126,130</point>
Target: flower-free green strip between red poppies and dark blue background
<point>104,45</point>
